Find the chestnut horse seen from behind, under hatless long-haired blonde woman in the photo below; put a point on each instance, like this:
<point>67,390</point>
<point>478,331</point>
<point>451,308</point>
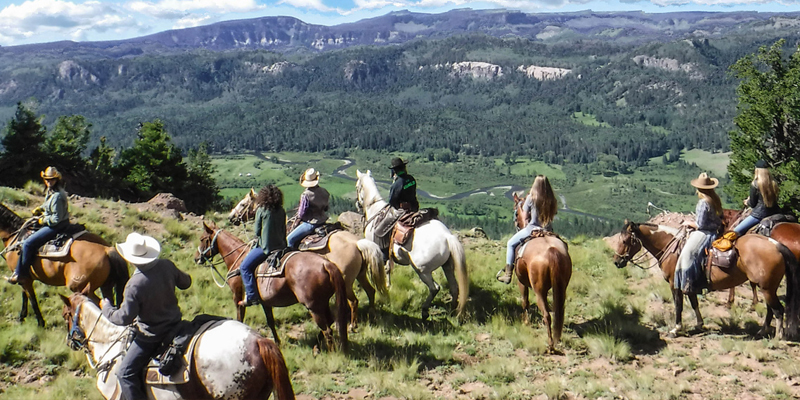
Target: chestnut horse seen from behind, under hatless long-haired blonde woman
<point>543,265</point>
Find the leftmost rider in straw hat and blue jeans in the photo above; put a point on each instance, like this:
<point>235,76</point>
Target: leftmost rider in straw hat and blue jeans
<point>53,218</point>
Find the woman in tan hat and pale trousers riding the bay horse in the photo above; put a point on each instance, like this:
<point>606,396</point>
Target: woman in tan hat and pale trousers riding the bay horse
<point>708,211</point>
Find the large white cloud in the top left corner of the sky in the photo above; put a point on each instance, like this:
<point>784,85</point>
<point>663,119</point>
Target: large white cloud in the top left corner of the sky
<point>58,18</point>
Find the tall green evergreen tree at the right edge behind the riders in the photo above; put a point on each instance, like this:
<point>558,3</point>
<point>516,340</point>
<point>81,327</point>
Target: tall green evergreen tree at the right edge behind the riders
<point>768,122</point>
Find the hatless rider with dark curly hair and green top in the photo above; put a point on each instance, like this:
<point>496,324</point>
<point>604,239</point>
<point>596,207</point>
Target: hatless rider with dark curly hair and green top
<point>270,231</point>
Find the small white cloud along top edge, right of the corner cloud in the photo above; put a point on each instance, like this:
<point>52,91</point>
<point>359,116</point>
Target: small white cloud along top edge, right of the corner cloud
<point>176,9</point>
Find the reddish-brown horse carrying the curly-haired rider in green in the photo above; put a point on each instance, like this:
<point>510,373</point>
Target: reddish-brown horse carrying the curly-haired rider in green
<point>309,279</point>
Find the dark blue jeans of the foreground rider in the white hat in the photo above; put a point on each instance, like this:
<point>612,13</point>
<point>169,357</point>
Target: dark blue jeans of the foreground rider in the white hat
<point>132,365</point>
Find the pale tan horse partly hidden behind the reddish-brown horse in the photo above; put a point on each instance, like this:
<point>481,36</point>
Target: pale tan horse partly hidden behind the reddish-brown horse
<point>355,258</point>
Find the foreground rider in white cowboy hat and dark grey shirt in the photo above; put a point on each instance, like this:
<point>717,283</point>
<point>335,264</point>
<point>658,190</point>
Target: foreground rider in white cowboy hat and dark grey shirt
<point>150,302</point>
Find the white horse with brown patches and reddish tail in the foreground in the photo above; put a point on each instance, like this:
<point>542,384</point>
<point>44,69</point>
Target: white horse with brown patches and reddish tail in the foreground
<point>229,360</point>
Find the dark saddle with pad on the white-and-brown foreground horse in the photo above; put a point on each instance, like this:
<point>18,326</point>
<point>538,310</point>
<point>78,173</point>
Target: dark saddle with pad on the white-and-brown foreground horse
<point>172,363</point>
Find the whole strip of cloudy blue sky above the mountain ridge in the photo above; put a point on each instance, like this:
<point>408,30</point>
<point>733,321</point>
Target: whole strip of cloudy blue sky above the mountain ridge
<point>37,21</point>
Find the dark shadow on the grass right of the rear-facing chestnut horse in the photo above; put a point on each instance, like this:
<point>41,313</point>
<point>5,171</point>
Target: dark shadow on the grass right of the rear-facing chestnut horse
<point>624,324</point>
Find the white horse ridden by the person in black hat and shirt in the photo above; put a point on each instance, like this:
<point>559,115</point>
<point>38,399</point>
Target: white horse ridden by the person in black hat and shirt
<point>432,246</point>
